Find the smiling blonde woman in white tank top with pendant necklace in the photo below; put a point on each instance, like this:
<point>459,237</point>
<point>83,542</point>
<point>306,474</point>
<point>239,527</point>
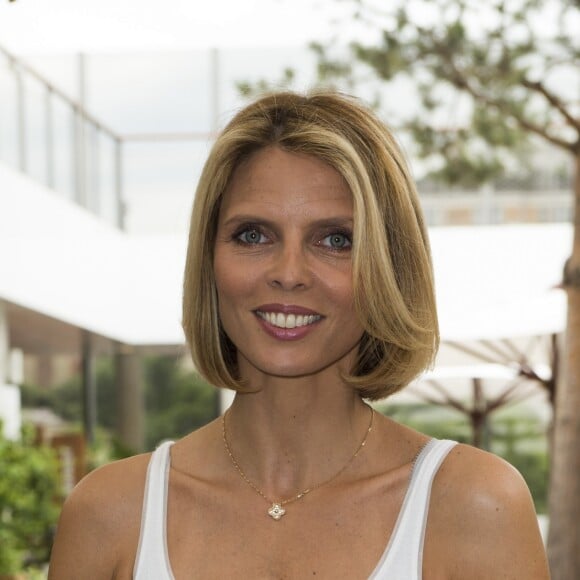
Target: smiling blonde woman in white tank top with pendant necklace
<point>308,287</point>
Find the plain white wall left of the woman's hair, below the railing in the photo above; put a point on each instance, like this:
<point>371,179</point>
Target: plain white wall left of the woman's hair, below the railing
<point>59,260</point>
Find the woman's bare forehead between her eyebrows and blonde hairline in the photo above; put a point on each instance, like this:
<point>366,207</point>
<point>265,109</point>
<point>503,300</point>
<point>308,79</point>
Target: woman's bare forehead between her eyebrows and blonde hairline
<point>274,178</point>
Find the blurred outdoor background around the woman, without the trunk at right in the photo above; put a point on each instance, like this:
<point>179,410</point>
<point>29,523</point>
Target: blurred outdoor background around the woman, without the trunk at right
<point>107,112</point>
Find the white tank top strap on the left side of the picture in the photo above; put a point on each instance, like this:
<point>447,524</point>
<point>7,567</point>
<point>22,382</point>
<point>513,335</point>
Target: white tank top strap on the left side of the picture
<point>152,559</point>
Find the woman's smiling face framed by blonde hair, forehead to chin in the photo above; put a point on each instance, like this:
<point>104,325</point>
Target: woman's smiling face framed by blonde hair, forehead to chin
<point>283,266</point>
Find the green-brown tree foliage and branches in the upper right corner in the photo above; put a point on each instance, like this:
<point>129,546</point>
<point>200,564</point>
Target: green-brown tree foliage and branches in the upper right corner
<point>487,76</point>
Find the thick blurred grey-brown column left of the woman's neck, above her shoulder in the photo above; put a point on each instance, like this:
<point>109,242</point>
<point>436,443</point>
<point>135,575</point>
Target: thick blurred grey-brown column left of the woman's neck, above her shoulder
<point>130,398</point>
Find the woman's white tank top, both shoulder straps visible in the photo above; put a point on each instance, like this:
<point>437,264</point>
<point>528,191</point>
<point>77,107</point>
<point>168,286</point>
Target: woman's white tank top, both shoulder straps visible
<point>401,560</point>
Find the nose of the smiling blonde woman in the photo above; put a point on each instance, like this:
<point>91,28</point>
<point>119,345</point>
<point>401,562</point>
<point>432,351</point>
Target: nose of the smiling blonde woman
<point>290,268</point>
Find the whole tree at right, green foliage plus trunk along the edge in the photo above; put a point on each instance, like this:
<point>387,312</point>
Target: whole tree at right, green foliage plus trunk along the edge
<point>510,70</point>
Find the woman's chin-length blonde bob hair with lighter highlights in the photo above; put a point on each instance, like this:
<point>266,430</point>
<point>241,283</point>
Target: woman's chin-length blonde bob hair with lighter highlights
<point>392,273</point>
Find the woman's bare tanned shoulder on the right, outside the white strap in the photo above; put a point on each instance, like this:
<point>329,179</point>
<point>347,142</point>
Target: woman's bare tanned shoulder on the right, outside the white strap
<point>482,521</point>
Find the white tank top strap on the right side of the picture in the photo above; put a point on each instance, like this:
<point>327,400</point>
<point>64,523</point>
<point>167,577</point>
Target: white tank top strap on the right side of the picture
<point>403,557</point>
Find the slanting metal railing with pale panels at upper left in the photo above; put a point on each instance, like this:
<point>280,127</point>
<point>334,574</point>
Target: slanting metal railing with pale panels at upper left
<point>51,137</point>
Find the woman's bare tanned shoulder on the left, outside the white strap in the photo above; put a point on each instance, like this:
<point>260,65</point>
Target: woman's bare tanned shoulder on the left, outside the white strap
<point>99,525</point>
